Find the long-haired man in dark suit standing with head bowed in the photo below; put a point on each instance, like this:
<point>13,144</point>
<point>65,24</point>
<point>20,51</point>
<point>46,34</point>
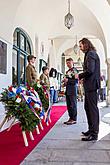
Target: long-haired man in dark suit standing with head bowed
<point>91,82</point>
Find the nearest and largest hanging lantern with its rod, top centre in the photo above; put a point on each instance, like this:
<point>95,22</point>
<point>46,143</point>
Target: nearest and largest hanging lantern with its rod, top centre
<point>69,20</point>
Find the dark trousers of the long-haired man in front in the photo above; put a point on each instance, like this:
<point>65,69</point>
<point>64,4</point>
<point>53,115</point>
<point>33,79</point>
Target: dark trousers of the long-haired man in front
<point>92,112</point>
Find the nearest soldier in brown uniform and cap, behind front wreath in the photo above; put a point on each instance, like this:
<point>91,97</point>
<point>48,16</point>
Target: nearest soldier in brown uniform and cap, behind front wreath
<point>31,74</point>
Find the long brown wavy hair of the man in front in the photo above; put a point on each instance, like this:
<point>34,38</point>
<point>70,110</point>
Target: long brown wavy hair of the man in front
<point>88,46</point>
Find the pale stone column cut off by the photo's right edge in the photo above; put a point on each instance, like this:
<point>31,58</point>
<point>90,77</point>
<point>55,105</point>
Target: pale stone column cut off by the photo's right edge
<point>108,82</point>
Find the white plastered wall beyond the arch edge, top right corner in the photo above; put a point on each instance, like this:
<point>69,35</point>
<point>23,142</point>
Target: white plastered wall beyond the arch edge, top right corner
<point>101,10</point>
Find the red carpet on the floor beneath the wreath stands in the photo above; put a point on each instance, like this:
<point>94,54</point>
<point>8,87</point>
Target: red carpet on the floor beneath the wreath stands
<point>12,149</point>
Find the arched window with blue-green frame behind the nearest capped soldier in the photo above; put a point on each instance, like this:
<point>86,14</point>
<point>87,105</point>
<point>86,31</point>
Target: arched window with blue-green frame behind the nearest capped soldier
<point>21,49</point>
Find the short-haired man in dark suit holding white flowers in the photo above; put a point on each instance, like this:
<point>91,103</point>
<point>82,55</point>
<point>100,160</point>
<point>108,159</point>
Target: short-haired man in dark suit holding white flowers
<point>70,81</point>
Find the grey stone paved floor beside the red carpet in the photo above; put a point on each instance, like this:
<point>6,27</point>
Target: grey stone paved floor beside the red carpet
<point>63,145</point>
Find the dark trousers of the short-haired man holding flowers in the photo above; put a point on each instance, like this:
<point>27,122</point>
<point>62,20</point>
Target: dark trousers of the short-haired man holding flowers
<point>71,101</point>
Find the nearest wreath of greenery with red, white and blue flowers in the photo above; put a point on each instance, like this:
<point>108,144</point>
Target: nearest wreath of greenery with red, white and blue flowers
<point>24,105</point>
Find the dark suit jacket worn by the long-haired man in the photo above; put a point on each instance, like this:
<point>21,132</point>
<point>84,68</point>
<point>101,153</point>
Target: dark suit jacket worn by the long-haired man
<point>91,71</point>
